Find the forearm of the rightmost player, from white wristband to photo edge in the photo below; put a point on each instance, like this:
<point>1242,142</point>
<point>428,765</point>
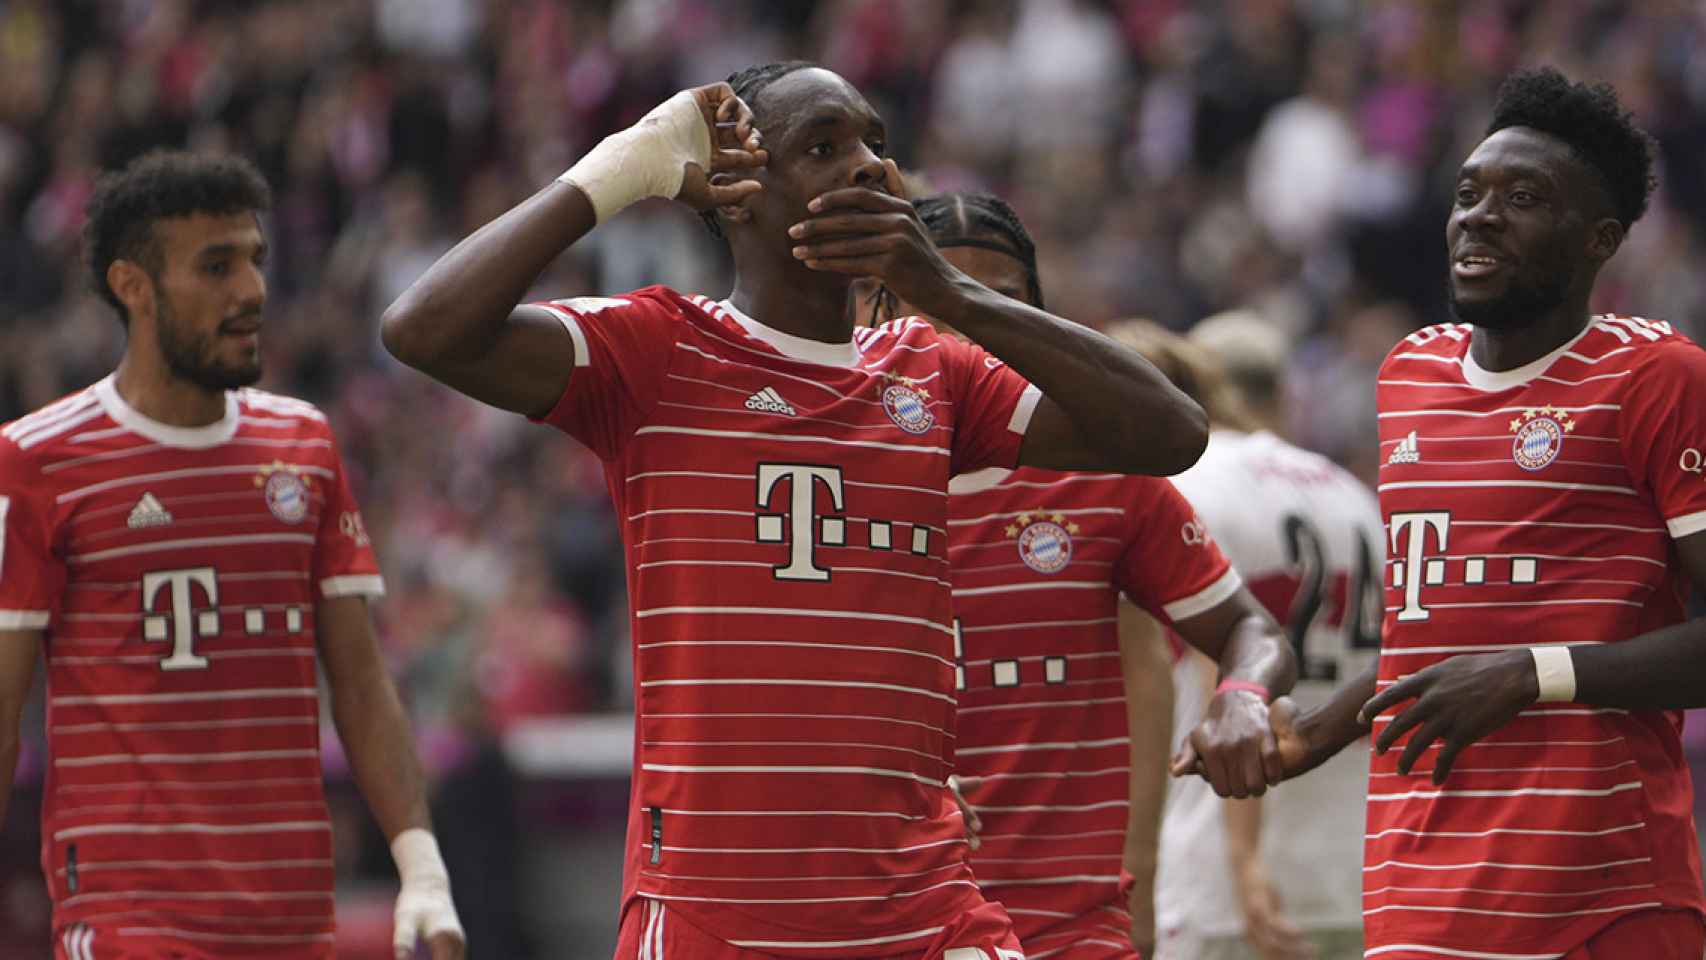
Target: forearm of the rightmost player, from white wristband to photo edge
<point>1664,669</point>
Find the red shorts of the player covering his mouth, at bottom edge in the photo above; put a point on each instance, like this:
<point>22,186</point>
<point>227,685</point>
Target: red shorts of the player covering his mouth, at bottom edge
<point>653,932</point>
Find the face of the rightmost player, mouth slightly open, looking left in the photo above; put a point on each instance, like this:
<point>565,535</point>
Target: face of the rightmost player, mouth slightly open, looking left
<point>1517,234</point>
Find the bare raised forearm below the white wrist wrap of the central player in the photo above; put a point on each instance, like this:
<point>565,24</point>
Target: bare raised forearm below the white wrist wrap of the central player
<point>461,303</point>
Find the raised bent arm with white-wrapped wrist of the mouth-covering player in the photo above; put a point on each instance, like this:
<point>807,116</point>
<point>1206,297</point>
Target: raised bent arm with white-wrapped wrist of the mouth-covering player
<point>461,321</point>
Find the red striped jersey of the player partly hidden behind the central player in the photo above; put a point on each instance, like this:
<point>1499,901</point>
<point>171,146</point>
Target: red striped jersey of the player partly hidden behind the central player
<point>1040,564</point>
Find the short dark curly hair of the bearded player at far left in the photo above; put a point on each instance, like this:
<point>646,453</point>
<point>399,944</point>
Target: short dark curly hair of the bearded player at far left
<point>156,187</point>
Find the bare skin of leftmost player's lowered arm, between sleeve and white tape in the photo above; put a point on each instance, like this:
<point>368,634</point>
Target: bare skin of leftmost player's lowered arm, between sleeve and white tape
<point>369,717</point>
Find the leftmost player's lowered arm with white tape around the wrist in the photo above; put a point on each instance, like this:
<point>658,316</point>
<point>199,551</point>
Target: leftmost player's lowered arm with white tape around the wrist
<point>376,736</point>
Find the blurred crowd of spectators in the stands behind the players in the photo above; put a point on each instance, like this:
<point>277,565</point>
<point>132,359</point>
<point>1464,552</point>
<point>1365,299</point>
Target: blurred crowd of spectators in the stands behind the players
<point>1173,158</point>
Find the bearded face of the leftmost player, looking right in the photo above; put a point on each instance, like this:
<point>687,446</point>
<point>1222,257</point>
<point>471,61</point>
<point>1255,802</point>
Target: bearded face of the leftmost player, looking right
<point>209,299</point>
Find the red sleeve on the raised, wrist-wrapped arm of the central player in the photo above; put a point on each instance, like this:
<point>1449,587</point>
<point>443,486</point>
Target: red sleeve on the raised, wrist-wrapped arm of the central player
<point>624,349</point>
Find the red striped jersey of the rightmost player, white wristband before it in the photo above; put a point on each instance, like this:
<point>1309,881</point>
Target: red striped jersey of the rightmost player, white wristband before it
<point>1535,506</point>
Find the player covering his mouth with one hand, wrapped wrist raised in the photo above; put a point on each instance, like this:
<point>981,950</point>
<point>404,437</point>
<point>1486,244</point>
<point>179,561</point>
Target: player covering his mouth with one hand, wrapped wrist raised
<point>782,483</point>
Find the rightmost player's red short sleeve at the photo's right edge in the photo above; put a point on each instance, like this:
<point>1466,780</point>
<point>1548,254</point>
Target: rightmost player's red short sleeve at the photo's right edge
<point>1664,434</point>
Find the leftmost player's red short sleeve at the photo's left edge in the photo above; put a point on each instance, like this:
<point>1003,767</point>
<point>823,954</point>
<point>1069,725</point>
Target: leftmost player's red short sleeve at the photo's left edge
<point>32,577</point>
